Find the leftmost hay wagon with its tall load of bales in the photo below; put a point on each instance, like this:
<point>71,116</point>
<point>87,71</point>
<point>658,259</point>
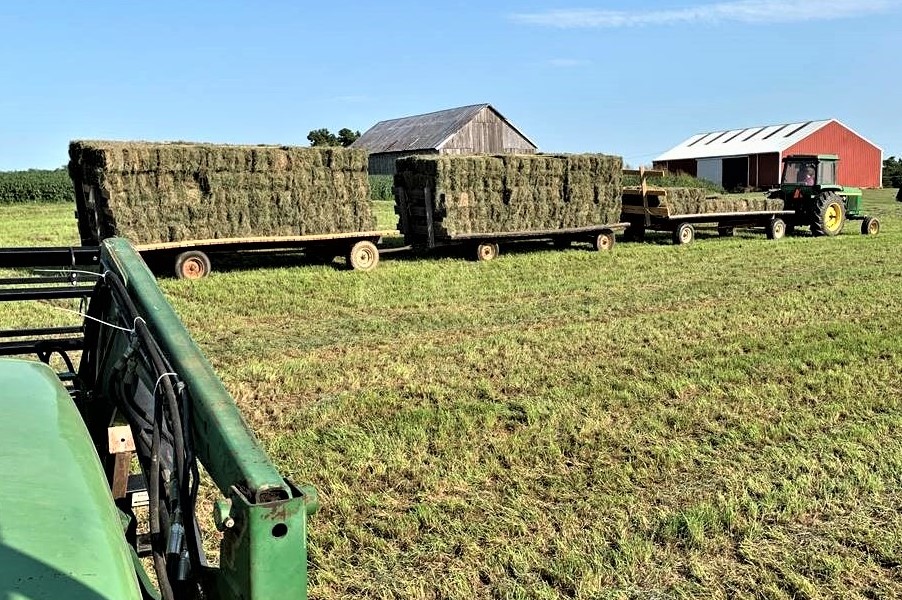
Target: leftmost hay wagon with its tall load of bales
<point>182,202</point>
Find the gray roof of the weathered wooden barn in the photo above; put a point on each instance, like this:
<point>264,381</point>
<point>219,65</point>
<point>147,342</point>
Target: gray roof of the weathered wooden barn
<point>422,132</point>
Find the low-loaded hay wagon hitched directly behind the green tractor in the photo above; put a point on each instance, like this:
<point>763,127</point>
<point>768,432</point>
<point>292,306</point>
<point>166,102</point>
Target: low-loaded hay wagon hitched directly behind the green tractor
<point>661,209</point>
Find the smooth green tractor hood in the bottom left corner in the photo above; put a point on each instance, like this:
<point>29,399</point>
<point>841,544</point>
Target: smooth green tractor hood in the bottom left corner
<point>60,533</point>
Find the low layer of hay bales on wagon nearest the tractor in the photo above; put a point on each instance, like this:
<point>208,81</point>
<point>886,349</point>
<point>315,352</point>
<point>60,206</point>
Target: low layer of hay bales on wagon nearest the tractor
<point>690,201</point>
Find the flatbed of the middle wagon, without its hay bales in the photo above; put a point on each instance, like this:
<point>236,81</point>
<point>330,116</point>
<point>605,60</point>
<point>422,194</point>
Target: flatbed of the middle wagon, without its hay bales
<point>485,245</point>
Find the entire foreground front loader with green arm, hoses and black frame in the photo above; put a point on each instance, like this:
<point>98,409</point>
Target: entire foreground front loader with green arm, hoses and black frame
<point>140,367</point>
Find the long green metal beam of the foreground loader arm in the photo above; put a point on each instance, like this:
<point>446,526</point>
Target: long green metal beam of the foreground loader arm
<point>263,553</point>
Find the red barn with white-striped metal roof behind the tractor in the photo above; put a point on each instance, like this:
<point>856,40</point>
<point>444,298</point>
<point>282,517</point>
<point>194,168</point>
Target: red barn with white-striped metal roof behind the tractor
<point>751,157</point>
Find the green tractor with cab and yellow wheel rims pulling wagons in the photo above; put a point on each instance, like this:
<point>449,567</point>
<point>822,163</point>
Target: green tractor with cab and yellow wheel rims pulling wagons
<point>809,188</point>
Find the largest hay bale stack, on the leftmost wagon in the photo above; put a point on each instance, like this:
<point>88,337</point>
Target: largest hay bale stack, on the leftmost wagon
<point>164,192</point>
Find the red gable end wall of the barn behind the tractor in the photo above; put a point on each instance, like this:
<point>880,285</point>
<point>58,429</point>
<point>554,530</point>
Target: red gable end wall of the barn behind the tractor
<point>860,162</point>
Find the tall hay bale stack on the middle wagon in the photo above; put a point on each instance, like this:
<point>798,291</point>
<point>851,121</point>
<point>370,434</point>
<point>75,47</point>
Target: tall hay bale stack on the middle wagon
<point>482,194</point>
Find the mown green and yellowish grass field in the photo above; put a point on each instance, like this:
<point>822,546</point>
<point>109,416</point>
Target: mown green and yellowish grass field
<point>716,420</point>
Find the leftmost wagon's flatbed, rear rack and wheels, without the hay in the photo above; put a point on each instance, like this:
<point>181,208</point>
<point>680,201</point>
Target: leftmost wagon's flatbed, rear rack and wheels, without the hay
<point>191,257</point>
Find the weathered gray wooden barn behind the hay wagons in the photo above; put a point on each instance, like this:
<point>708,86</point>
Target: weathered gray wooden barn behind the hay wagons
<point>476,129</point>
